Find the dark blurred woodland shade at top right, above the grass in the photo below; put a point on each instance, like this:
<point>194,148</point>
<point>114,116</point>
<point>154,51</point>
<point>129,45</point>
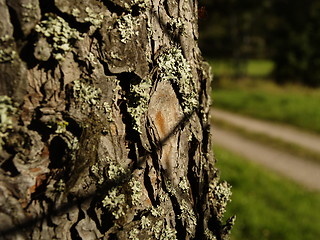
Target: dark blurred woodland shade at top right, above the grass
<point>287,32</point>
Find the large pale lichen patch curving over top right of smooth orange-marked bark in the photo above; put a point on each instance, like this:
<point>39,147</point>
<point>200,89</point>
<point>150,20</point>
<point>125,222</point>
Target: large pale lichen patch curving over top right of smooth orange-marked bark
<point>174,67</point>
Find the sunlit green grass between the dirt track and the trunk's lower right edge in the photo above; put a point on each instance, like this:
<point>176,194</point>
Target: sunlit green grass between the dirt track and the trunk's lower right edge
<point>267,205</point>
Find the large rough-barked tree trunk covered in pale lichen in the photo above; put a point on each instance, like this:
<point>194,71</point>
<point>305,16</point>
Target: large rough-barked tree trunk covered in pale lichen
<point>104,130</point>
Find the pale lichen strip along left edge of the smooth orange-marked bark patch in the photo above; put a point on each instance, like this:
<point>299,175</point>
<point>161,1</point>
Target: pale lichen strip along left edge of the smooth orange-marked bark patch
<point>138,102</point>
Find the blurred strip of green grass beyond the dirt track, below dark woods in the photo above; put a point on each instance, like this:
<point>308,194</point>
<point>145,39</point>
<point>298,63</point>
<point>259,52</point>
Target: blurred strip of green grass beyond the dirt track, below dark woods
<point>261,98</point>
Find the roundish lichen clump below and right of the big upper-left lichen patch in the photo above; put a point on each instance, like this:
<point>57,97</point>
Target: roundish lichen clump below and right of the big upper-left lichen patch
<point>83,91</point>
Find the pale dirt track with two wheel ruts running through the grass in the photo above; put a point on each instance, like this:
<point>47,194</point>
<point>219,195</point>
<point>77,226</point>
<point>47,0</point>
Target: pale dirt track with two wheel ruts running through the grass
<point>301,170</point>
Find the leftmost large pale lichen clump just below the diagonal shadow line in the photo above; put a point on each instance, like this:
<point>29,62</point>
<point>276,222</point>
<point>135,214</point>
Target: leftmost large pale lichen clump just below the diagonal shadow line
<point>115,202</point>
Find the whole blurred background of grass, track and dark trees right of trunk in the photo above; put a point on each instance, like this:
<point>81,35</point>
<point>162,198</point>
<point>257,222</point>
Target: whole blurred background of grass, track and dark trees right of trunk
<point>265,57</point>
